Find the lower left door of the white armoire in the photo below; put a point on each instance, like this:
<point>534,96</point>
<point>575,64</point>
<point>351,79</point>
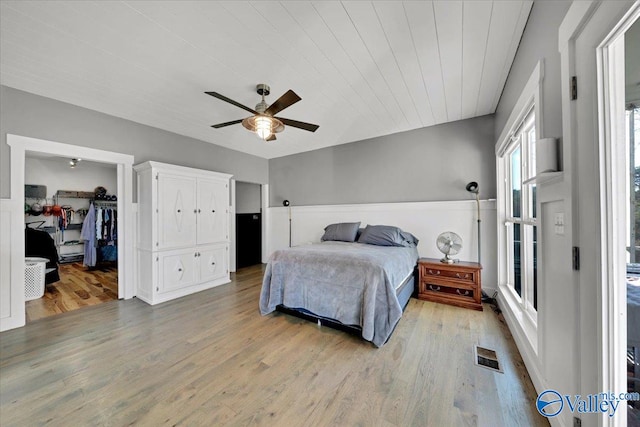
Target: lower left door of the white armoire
<point>178,269</point>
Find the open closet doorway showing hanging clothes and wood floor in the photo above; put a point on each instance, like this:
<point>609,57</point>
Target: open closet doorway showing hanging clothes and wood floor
<point>70,203</point>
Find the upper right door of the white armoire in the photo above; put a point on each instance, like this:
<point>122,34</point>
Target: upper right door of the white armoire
<point>213,201</point>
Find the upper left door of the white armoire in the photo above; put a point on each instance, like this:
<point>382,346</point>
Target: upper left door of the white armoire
<point>176,211</point>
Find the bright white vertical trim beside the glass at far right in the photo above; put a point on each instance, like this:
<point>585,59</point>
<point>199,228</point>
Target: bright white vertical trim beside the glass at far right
<point>610,56</point>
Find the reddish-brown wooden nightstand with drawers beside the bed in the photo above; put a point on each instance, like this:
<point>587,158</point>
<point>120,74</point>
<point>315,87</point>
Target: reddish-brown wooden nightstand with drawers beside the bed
<point>456,284</point>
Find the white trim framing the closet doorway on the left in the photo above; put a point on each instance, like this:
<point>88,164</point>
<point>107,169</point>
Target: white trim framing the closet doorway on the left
<point>20,145</point>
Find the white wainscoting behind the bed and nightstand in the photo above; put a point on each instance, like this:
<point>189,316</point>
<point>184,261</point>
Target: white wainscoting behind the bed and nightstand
<point>426,220</point>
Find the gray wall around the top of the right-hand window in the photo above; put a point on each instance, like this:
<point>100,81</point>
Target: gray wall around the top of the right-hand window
<point>539,41</point>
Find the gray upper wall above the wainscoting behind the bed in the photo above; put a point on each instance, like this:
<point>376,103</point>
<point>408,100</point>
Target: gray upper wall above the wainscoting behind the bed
<point>427,164</point>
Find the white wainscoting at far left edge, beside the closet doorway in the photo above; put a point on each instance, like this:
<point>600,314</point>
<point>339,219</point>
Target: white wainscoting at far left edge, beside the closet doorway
<point>12,314</point>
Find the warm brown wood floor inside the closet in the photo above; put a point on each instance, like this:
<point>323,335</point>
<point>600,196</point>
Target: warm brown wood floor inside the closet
<point>78,287</point>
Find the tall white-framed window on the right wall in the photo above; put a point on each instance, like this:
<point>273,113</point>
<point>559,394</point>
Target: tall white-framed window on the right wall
<point>520,215</point>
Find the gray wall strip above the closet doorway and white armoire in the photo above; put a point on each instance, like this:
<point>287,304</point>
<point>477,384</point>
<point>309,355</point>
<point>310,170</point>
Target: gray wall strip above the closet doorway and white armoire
<point>38,117</point>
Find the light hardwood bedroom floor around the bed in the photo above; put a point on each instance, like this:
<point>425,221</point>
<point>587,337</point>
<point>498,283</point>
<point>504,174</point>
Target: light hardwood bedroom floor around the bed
<point>211,359</point>
